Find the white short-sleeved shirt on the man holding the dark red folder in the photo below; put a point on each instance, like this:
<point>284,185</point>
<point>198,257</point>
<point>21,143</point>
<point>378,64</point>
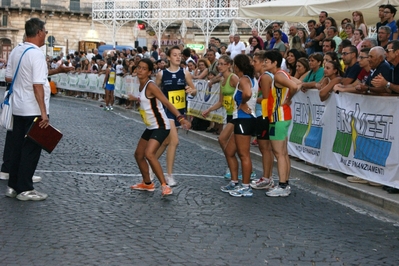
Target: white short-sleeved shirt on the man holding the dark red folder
<point>32,70</point>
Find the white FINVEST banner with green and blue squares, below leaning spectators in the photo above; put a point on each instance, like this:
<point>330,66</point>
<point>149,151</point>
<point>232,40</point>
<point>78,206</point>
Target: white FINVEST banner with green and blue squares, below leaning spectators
<point>350,133</point>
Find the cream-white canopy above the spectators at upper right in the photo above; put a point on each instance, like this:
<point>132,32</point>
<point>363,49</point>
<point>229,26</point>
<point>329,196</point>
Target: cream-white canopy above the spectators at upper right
<point>304,10</point>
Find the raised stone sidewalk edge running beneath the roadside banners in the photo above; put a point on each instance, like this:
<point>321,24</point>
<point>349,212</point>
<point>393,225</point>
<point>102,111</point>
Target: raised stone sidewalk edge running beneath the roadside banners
<point>320,177</point>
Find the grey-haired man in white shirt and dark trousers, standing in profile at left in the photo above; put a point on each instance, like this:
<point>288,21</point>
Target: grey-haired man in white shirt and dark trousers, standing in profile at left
<point>31,98</point>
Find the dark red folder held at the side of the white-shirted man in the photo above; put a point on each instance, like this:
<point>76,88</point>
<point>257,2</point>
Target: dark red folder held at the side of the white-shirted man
<point>47,137</point>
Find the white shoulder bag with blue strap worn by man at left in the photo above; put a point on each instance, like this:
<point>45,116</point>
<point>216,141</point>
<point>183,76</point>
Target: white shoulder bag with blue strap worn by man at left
<point>6,118</point>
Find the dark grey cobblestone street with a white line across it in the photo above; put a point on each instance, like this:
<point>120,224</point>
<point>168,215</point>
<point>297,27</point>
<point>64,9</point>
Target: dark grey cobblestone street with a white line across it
<point>93,218</point>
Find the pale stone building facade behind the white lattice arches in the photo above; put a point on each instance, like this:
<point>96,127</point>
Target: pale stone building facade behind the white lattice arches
<point>70,27</point>
